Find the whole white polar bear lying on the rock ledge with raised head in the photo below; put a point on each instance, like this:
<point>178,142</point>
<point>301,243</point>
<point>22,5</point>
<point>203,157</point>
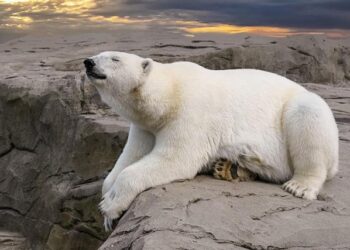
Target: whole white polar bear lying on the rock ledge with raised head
<point>184,116</point>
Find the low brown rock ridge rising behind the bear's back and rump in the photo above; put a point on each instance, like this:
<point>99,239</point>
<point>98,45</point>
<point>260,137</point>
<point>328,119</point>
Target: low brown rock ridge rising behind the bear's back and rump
<point>302,61</point>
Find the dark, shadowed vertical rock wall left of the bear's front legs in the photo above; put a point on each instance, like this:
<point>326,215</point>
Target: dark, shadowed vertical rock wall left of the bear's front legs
<point>53,158</point>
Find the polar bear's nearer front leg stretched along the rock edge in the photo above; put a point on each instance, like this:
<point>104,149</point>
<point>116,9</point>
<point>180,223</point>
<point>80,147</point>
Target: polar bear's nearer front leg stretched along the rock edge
<point>166,163</point>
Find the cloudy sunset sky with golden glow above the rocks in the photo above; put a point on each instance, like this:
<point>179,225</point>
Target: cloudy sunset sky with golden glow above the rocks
<point>265,17</point>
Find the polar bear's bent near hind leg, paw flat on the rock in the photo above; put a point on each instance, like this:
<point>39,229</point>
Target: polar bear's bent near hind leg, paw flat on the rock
<point>312,140</point>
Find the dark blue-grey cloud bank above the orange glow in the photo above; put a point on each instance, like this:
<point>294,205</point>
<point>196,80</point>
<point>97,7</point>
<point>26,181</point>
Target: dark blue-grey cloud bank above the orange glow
<point>309,14</point>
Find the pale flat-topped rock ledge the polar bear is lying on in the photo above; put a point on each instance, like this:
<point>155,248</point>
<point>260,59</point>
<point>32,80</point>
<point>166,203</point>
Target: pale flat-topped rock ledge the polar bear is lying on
<point>205,213</point>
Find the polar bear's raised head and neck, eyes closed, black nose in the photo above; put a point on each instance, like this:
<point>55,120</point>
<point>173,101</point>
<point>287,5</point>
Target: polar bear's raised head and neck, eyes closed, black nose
<point>133,86</point>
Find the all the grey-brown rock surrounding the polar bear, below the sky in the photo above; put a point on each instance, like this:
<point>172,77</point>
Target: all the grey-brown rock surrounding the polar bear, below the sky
<point>58,141</point>
